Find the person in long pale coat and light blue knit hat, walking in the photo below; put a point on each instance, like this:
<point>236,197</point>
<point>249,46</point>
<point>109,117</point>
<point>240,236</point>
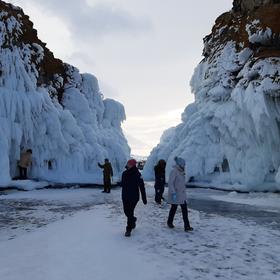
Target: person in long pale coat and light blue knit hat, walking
<point>177,193</point>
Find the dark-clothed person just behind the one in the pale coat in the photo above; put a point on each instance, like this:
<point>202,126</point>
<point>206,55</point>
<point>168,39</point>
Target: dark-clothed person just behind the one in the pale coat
<point>159,180</point>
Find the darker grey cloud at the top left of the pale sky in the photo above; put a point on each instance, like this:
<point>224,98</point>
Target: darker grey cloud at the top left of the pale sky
<point>89,22</point>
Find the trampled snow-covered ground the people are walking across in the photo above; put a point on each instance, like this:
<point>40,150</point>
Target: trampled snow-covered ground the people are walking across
<point>81,237</point>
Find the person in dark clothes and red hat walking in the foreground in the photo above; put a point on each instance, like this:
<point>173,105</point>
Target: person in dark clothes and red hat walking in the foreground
<point>131,183</point>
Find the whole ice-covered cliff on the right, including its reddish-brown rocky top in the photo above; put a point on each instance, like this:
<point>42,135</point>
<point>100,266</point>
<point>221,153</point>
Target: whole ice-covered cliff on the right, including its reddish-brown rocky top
<point>230,135</point>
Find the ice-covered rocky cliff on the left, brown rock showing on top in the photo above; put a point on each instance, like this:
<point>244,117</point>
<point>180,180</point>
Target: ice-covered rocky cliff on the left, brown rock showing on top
<point>48,106</point>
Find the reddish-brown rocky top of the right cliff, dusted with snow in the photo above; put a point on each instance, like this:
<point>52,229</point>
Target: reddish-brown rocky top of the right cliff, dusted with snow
<point>251,24</point>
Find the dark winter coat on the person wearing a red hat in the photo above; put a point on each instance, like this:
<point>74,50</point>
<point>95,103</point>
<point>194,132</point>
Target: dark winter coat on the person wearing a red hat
<point>131,183</point>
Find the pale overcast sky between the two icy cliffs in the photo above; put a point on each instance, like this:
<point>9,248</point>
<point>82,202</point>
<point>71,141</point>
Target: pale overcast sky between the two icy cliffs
<point>142,51</point>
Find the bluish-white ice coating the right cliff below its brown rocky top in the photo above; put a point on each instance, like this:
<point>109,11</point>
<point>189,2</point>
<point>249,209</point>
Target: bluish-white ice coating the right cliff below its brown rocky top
<point>229,137</point>
